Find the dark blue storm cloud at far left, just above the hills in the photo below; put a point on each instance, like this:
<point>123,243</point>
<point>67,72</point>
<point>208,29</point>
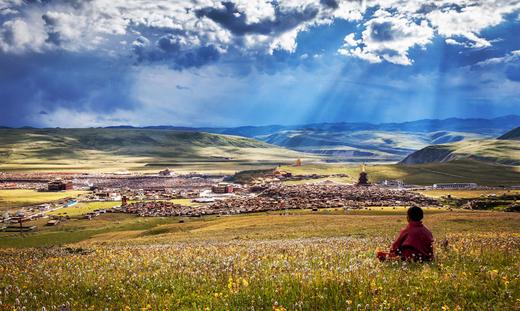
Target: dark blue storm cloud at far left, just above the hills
<point>34,85</point>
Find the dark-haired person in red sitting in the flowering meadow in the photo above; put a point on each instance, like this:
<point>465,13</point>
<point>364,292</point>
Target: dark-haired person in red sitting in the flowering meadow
<point>415,242</point>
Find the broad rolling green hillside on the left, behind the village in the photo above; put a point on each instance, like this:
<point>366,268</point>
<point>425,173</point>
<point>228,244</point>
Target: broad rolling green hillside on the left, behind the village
<point>133,149</point>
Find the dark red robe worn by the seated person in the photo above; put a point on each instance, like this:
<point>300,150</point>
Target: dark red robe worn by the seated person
<point>415,242</point>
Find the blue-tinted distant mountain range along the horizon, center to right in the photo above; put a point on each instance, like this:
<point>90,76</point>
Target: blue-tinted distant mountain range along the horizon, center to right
<point>363,141</point>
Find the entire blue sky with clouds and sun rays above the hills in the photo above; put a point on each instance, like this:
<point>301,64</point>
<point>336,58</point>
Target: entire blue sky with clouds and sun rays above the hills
<point>89,63</point>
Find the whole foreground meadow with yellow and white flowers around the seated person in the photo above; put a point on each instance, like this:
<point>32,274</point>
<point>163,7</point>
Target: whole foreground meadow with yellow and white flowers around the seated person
<point>300,261</point>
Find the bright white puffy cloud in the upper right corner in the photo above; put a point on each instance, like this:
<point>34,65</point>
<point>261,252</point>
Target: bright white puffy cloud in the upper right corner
<point>415,23</point>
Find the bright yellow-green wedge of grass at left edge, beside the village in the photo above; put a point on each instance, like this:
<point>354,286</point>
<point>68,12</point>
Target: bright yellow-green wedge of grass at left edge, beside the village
<point>11,199</point>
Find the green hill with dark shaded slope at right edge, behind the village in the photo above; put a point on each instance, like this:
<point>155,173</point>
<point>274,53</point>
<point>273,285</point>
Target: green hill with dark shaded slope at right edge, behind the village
<point>504,152</point>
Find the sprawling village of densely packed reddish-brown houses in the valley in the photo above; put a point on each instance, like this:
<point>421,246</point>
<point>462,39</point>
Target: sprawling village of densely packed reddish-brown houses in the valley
<point>166,194</point>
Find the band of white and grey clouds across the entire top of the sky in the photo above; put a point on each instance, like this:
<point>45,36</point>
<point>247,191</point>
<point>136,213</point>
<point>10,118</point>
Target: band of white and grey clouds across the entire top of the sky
<point>248,26</point>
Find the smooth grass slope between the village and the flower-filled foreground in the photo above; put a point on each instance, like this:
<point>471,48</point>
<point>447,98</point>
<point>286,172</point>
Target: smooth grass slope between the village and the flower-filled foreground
<point>120,228</point>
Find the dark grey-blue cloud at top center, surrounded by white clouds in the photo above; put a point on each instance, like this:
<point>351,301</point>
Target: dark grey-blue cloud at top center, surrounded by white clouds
<point>232,19</point>
